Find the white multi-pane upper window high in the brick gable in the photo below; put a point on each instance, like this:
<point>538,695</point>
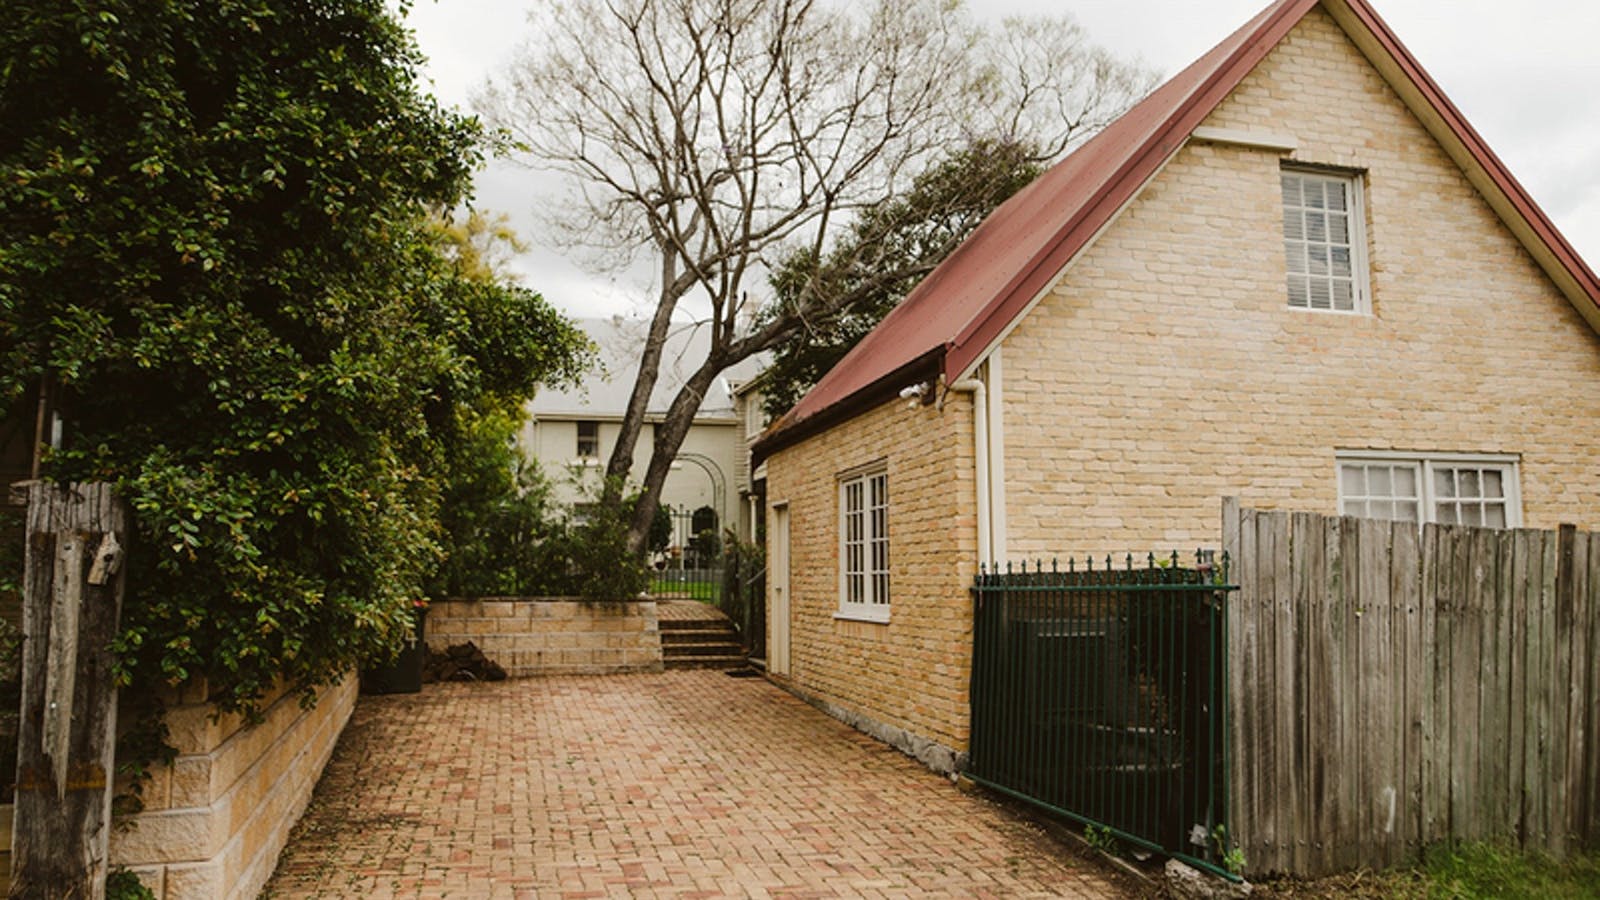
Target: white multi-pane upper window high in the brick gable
<point>1322,241</point>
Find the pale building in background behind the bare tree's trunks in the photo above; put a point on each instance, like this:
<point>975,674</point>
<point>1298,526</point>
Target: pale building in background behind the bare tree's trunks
<point>572,433</point>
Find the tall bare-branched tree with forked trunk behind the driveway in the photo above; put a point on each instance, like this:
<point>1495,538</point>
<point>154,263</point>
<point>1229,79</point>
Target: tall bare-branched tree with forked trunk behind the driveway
<point>721,137</point>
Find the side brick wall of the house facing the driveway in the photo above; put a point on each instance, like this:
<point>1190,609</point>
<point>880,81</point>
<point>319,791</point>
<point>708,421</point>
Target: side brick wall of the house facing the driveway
<point>887,673</point>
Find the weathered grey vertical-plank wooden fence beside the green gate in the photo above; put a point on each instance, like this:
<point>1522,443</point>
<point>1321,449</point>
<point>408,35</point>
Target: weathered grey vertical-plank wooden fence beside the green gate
<point>1393,688</point>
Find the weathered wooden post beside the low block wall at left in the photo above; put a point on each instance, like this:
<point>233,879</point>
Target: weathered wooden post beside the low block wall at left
<point>66,742</point>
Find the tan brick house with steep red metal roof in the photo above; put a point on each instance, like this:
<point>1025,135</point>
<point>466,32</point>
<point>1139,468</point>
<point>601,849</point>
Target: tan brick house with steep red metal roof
<point>1294,275</point>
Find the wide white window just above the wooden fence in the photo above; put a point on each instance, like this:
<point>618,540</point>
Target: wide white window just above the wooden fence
<point>1444,488</point>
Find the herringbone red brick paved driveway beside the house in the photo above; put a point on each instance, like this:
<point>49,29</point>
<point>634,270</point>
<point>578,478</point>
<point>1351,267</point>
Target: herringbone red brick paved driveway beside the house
<point>686,784</point>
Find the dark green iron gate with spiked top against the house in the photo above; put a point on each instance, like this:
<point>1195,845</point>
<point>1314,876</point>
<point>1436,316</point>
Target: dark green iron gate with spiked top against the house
<point>1098,693</point>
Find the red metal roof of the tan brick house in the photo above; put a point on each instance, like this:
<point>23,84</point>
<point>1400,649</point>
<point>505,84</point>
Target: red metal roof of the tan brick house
<point>994,278</point>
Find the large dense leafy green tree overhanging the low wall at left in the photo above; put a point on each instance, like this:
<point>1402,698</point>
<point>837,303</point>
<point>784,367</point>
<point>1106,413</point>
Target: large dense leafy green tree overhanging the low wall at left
<point>214,255</point>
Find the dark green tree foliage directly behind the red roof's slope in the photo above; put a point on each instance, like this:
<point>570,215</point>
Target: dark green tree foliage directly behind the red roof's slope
<point>906,238</point>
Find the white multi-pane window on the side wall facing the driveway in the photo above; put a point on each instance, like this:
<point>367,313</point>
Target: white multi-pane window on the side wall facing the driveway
<point>865,589</point>
